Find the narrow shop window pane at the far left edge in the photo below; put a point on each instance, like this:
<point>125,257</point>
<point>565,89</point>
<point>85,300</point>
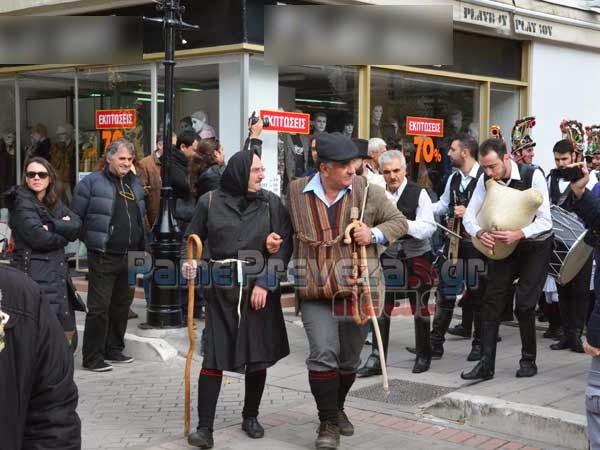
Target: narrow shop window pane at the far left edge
<point>8,135</point>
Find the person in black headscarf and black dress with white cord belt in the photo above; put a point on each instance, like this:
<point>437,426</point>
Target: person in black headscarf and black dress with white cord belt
<point>247,229</point>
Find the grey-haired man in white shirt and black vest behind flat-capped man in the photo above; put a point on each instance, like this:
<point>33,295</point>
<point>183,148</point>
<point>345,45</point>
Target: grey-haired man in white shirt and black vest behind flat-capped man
<point>407,263</point>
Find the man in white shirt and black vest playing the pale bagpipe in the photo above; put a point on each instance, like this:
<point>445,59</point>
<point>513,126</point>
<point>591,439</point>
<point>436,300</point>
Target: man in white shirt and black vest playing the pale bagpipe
<point>528,263</point>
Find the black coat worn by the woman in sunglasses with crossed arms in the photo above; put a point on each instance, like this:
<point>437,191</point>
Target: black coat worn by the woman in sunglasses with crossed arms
<point>40,253</point>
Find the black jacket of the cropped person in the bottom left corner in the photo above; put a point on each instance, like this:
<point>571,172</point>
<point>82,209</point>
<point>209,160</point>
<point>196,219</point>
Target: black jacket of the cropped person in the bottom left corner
<point>37,392</point>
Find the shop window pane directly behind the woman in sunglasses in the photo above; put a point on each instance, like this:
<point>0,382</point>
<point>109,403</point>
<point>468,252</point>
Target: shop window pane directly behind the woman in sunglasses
<point>46,122</point>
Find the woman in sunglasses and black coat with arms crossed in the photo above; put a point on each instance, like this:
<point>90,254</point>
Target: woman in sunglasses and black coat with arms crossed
<point>42,226</point>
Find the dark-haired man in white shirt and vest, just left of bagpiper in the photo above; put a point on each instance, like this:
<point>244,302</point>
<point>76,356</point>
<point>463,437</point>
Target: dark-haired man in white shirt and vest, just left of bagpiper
<point>455,278</point>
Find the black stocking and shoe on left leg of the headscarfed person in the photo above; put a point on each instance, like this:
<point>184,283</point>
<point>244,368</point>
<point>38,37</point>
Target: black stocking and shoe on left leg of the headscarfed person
<point>209,386</point>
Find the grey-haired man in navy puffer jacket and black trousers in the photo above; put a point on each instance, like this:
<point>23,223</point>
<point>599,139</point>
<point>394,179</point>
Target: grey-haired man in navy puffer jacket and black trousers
<point>110,203</point>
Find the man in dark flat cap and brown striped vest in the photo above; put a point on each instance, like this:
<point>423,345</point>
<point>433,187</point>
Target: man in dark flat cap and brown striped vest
<point>320,207</point>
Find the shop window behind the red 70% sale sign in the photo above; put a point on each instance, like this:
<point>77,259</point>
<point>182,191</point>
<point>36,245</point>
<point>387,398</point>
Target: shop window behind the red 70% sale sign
<point>396,95</point>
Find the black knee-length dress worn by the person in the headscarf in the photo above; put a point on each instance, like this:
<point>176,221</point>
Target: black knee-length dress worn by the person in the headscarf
<point>261,339</point>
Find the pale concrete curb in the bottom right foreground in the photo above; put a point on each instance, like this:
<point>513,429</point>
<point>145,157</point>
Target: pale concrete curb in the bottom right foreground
<point>548,425</point>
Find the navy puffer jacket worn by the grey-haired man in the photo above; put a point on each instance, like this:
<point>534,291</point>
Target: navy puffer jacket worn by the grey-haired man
<point>93,201</point>
